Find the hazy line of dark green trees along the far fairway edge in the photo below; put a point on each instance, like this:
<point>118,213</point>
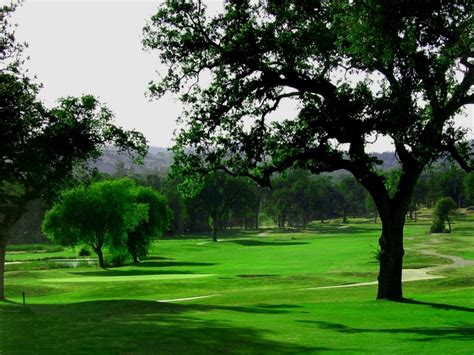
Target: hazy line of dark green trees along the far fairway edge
<point>295,198</point>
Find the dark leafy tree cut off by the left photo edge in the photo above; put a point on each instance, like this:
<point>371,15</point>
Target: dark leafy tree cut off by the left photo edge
<point>39,146</point>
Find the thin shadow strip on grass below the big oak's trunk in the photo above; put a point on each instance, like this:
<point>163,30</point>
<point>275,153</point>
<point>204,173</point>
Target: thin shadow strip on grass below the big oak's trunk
<point>459,332</point>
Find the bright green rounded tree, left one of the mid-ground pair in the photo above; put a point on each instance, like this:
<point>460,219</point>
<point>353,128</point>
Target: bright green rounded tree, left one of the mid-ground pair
<point>99,215</point>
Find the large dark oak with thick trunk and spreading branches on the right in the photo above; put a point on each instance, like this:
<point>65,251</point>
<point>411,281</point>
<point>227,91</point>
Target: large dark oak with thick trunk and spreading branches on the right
<point>357,69</point>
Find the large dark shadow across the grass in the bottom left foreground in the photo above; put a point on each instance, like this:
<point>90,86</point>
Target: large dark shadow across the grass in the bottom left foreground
<point>134,326</point>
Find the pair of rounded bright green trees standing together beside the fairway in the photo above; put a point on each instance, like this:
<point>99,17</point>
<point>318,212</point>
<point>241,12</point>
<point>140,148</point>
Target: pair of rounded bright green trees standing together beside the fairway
<point>117,214</point>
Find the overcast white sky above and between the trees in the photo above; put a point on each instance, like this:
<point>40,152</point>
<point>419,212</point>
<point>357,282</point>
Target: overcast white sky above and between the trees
<point>94,47</point>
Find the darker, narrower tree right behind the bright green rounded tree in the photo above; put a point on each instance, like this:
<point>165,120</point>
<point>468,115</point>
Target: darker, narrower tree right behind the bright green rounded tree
<point>159,217</point>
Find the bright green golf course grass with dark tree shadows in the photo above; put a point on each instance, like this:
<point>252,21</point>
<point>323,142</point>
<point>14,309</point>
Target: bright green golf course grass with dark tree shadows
<point>260,301</point>
